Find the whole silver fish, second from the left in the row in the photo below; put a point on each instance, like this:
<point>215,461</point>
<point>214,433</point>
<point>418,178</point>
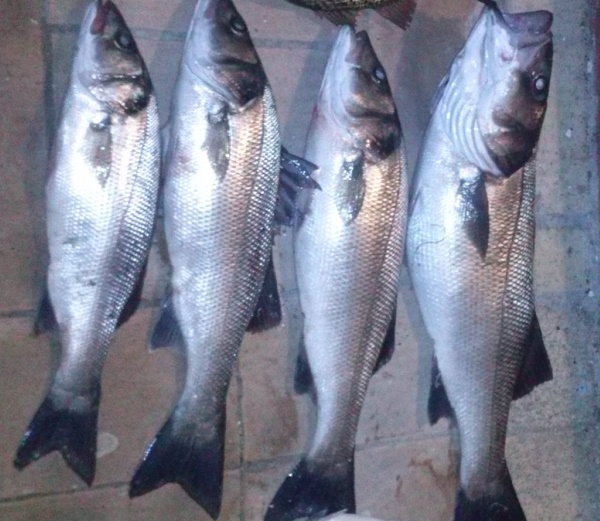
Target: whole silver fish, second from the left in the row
<point>221,171</point>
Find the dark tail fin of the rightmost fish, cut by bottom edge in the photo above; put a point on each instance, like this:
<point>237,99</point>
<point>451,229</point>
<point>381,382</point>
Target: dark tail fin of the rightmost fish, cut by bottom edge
<point>503,506</point>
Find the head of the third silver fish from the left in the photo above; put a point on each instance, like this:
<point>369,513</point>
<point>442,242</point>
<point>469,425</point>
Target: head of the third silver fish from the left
<point>358,96</point>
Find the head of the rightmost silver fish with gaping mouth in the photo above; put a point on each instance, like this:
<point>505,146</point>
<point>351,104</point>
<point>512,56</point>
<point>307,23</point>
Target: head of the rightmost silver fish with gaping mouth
<point>515,79</point>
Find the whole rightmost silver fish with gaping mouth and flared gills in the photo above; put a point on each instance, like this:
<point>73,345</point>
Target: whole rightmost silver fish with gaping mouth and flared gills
<point>470,246</point>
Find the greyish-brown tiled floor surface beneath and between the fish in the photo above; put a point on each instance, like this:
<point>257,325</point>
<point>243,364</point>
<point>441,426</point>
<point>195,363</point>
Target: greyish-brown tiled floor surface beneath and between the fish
<point>406,470</point>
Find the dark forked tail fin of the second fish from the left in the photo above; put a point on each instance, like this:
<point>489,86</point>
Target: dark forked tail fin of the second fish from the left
<point>179,455</point>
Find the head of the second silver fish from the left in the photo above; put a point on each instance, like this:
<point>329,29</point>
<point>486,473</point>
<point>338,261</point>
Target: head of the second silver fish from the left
<point>220,52</point>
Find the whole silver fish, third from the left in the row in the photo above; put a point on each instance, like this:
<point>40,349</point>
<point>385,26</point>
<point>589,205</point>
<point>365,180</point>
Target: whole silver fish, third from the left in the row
<point>348,252</point>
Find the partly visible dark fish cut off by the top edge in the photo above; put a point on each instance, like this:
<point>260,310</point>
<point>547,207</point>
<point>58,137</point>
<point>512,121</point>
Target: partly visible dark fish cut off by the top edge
<point>344,12</point>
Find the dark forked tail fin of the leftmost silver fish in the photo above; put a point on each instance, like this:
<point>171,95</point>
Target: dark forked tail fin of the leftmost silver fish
<point>65,423</point>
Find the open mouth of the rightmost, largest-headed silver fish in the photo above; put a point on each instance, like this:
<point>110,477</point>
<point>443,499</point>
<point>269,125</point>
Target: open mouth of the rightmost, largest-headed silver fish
<point>525,29</point>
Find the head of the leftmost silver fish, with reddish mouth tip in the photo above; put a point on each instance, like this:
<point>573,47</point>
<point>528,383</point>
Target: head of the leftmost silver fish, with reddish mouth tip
<point>108,61</point>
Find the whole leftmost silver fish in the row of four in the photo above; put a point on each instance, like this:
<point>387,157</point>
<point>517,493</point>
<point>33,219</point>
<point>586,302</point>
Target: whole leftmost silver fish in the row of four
<point>101,201</point>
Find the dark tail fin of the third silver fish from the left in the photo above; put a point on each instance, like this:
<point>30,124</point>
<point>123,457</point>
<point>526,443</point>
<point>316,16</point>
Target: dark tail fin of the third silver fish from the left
<point>312,490</point>
